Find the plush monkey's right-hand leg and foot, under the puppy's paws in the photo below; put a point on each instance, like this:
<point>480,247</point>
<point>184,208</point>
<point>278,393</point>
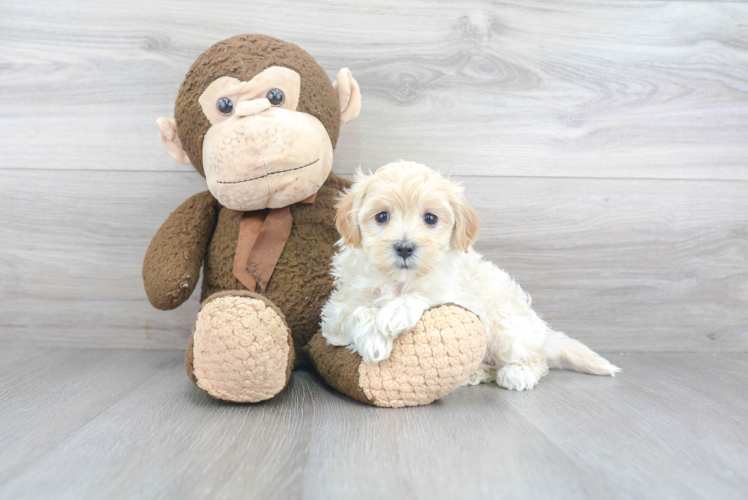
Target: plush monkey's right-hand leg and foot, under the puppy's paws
<point>427,363</point>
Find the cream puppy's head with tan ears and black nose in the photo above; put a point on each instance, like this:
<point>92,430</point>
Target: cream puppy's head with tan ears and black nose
<point>406,216</point>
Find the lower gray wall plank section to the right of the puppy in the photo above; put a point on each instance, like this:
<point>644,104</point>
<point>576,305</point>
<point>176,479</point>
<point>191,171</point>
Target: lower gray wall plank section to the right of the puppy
<point>623,264</point>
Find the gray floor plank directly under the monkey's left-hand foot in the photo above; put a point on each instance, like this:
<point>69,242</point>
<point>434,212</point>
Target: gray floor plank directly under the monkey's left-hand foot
<point>170,440</point>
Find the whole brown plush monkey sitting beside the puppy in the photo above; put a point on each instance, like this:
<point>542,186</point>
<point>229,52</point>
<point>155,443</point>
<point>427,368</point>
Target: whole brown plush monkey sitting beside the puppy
<point>259,119</point>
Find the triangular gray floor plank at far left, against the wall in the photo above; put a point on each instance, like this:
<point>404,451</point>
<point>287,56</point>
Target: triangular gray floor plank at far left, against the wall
<point>46,398</point>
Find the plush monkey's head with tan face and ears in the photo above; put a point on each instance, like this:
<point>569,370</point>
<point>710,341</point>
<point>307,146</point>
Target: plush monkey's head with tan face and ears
<point>259,118</point>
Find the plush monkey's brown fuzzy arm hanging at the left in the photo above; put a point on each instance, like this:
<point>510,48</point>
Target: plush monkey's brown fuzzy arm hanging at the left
<point>172,263</point>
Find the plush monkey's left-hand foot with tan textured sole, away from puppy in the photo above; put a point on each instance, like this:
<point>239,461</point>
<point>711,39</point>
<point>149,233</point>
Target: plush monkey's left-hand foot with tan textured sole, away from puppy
<point>241,349</point>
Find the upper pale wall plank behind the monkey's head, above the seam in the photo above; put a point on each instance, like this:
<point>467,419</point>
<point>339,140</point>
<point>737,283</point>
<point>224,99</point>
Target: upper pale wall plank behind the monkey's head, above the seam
<point>629,89</point>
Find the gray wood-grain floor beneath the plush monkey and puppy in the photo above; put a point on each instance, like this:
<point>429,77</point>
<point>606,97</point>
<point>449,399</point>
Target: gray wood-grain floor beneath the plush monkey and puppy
<point>111,423</point>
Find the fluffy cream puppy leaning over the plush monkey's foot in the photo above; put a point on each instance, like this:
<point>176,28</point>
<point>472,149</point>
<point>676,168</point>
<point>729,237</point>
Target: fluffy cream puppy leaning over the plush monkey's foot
<point>406,246</point>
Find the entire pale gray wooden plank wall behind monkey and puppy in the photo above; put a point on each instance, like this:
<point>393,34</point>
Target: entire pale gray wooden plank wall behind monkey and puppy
<point>605,145</point>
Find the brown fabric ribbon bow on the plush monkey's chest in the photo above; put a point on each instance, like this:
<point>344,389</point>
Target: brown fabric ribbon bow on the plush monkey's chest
<point>262,237</point>
